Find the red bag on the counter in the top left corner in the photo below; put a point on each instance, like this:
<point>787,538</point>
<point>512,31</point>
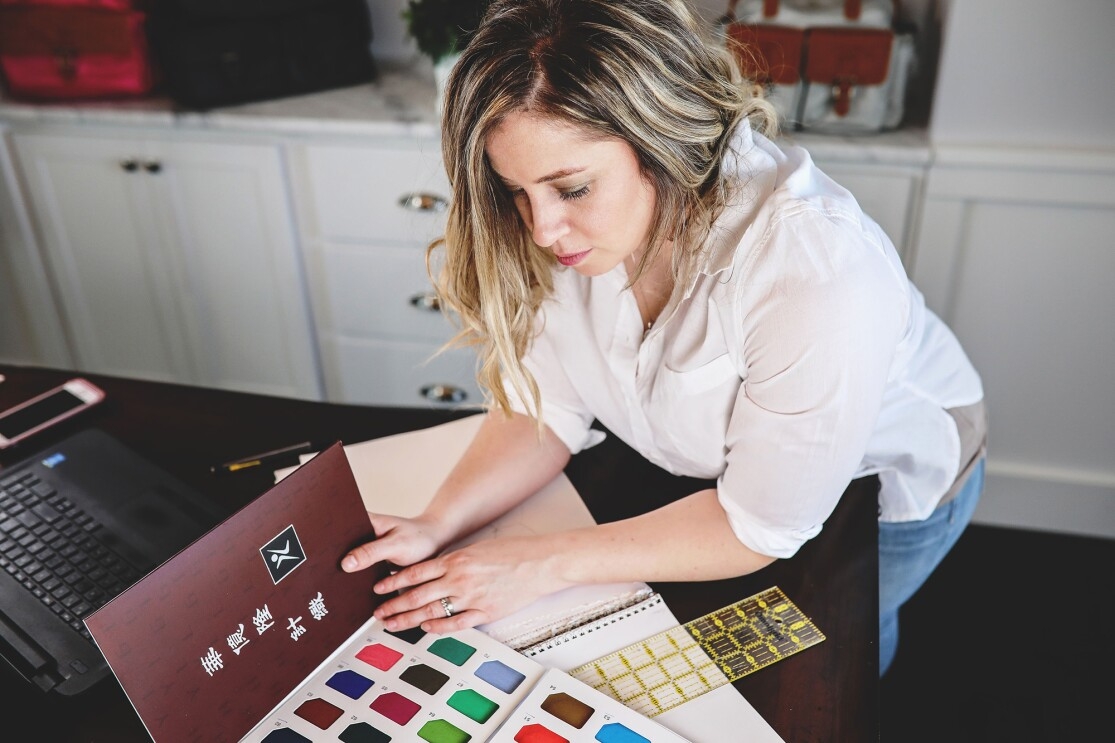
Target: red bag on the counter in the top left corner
<point>70,50</point>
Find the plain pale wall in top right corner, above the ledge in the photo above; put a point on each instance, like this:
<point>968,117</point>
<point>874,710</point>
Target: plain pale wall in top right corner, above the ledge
<point>1027,73</point>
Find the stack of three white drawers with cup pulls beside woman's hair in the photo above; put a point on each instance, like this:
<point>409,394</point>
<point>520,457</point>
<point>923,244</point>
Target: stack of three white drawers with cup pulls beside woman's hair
<point>370,210</point>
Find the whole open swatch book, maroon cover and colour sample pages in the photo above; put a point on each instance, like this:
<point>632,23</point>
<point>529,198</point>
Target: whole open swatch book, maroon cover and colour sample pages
<point>254,633</point>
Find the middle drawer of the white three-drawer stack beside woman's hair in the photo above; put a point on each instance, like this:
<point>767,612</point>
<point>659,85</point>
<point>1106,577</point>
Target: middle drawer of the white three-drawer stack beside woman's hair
<point>381,292</point>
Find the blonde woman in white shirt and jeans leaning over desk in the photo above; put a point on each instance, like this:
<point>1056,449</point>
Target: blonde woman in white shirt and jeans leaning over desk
<point>626,245</point>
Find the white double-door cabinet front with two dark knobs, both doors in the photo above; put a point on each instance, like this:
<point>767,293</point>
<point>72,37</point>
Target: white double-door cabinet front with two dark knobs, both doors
<point>172,258</point>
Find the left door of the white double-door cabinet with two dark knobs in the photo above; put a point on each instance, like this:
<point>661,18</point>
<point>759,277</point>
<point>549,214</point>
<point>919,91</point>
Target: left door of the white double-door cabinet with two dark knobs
<point>105,255</point>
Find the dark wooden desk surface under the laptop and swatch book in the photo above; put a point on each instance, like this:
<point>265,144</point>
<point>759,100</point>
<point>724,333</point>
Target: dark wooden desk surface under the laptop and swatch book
<point>827,693</point>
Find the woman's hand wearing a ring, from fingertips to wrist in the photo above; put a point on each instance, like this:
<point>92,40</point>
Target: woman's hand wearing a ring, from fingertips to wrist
<point>482,583</point>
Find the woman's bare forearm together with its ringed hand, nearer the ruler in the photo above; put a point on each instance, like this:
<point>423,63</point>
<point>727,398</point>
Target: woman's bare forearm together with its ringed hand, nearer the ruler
<point>687,541</point>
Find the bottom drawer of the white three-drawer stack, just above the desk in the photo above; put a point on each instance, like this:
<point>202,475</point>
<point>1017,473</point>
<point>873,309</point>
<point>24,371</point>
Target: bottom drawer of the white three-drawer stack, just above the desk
<point>401,374</point>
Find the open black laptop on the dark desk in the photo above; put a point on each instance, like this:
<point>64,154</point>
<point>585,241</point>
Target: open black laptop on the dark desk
<point>80,523</point>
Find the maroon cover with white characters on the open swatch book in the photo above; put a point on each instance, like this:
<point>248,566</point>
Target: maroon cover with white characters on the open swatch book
<point>211,641</point>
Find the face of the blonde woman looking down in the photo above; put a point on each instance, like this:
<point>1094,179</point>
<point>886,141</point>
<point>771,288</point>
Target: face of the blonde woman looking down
<point>584,199</point>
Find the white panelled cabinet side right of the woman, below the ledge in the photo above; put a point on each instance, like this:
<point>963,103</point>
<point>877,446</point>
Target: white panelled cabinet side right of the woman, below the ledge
<point>1015,253</point>
